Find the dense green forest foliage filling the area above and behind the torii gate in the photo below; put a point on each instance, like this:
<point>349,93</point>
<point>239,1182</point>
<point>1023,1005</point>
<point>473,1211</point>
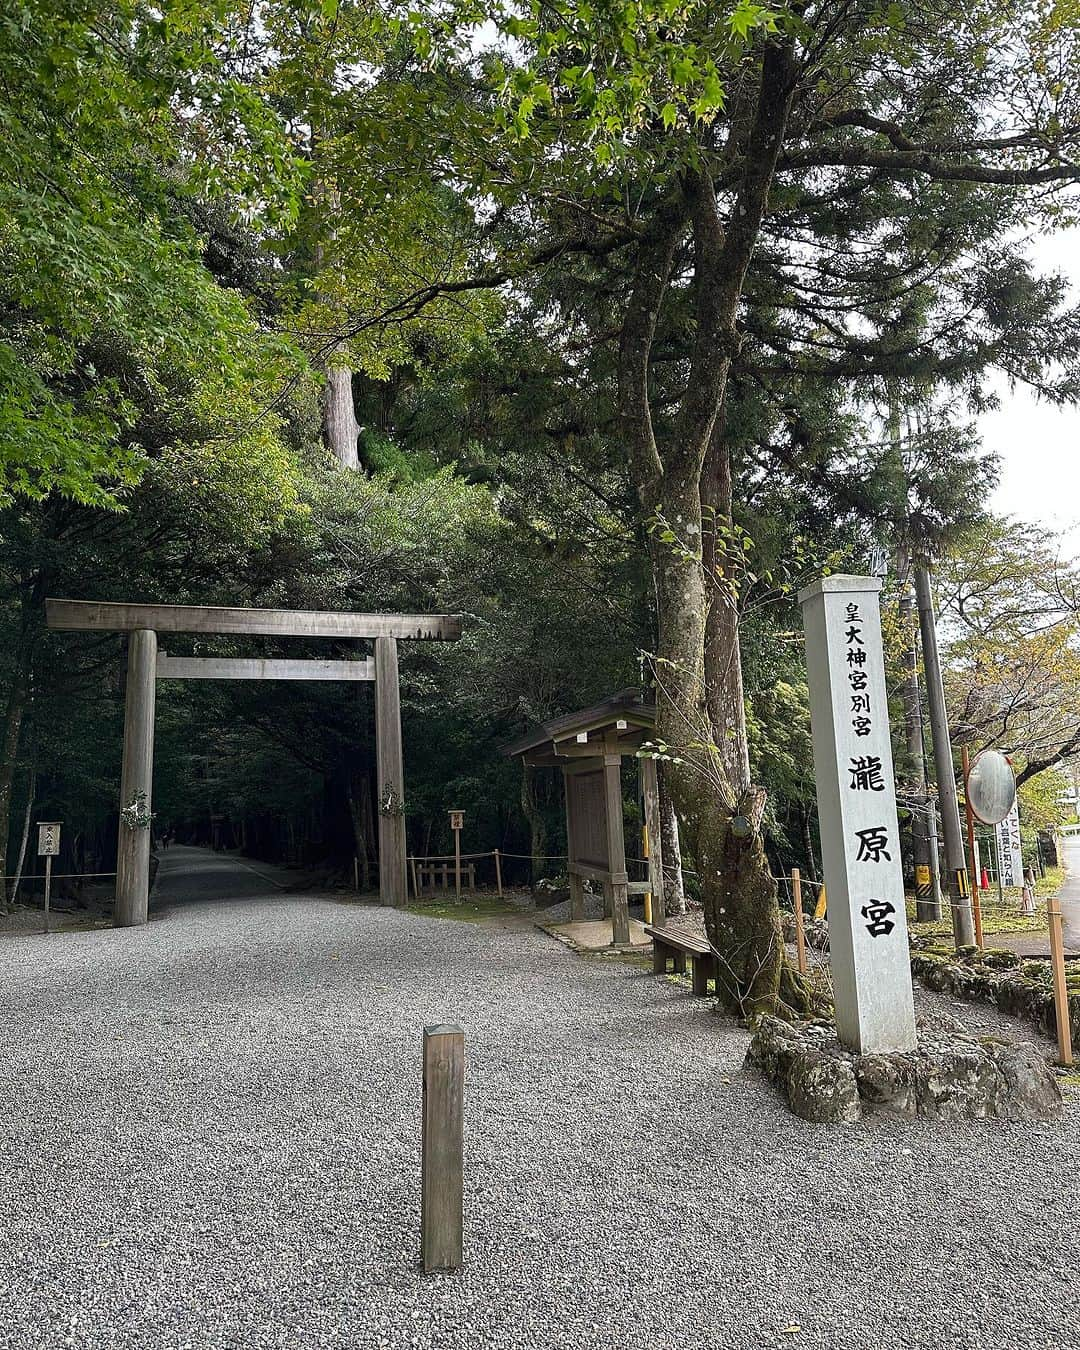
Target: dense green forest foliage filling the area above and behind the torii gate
<point>627,302</point>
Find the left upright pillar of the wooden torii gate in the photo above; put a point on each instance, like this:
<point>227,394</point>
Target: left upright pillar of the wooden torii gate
<point>137,777</point>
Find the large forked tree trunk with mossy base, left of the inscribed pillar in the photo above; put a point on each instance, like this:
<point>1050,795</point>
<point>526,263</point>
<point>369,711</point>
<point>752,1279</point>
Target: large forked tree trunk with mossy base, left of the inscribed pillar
<point>708,776</point>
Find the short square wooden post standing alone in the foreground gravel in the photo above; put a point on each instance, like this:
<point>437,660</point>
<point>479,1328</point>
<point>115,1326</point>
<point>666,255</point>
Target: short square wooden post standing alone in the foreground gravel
<point>441,1209</point>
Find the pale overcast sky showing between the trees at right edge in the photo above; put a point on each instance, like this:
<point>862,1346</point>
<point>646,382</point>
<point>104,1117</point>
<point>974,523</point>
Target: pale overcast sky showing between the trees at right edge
<point>1040,445</point>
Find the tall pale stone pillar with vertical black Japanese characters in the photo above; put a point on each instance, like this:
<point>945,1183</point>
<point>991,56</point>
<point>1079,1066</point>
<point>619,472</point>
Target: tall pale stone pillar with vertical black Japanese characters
<point>861,842</point>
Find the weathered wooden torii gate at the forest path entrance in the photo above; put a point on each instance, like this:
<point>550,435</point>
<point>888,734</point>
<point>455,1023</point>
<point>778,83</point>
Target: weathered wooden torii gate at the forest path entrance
<point>146,665</point>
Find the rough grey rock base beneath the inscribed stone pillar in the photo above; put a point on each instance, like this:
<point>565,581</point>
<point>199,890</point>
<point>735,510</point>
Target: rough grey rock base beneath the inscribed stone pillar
<point>950,1077</point>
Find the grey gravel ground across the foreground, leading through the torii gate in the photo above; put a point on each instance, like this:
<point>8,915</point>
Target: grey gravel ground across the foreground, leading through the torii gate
<point>211,1139</point>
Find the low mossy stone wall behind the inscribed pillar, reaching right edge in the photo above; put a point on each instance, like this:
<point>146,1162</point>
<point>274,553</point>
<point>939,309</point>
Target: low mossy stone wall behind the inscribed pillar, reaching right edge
<point>1019,988</point>
